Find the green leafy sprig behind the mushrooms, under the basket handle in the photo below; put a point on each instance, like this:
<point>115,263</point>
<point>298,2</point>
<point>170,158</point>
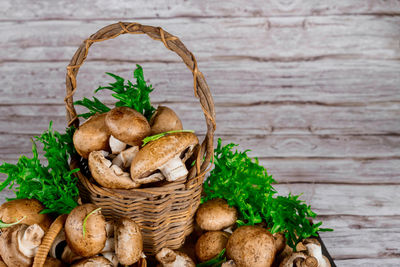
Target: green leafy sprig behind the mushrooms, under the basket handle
<point>131,95</point>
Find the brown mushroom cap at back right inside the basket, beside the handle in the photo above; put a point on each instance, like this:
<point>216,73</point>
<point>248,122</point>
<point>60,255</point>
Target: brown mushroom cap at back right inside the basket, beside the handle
<point>163,120</point>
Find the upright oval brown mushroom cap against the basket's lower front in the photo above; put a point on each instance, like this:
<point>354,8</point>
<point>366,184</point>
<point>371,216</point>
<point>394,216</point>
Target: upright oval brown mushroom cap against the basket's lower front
<point>128,241</point>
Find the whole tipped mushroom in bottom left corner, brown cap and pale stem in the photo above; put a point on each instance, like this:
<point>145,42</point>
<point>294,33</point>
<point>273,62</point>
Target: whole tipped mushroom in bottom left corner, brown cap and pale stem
<point>19,243</point>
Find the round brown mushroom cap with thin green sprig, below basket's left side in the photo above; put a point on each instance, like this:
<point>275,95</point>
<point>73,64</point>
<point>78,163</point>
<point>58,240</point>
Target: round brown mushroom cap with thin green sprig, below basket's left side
<point>96,235</point>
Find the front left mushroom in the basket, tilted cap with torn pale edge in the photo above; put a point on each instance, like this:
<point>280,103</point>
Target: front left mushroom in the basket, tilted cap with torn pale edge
<point>108,175</point>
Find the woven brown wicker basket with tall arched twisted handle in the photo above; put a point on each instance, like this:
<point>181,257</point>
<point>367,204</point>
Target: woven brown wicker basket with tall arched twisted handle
<point>164,213</point>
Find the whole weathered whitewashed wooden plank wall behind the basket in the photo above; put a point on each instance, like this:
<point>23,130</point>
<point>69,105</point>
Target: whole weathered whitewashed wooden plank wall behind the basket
<point>312,87</point>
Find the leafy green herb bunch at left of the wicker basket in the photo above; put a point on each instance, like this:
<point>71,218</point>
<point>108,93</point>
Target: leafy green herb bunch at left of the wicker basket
<point>54,184</point>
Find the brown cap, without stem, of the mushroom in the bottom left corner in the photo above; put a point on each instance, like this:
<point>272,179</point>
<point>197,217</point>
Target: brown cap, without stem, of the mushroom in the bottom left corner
<point>9,248</point>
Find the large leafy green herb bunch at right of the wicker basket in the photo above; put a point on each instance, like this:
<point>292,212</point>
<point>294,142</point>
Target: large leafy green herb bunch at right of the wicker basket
<point>245,184</point>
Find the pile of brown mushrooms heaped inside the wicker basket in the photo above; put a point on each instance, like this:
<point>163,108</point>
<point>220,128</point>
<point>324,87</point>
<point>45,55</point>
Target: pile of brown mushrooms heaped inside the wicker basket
<point>112,144</point>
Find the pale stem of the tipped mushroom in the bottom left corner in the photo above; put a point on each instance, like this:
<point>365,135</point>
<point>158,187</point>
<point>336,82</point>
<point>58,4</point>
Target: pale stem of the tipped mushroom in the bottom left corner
<point>30,239</point>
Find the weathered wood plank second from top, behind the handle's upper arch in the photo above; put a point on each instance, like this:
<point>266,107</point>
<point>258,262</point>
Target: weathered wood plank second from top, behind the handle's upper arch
<point>262,39</point>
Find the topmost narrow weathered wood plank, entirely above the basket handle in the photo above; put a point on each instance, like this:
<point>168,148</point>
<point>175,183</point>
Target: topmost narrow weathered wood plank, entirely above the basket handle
<point>28,10</point>
